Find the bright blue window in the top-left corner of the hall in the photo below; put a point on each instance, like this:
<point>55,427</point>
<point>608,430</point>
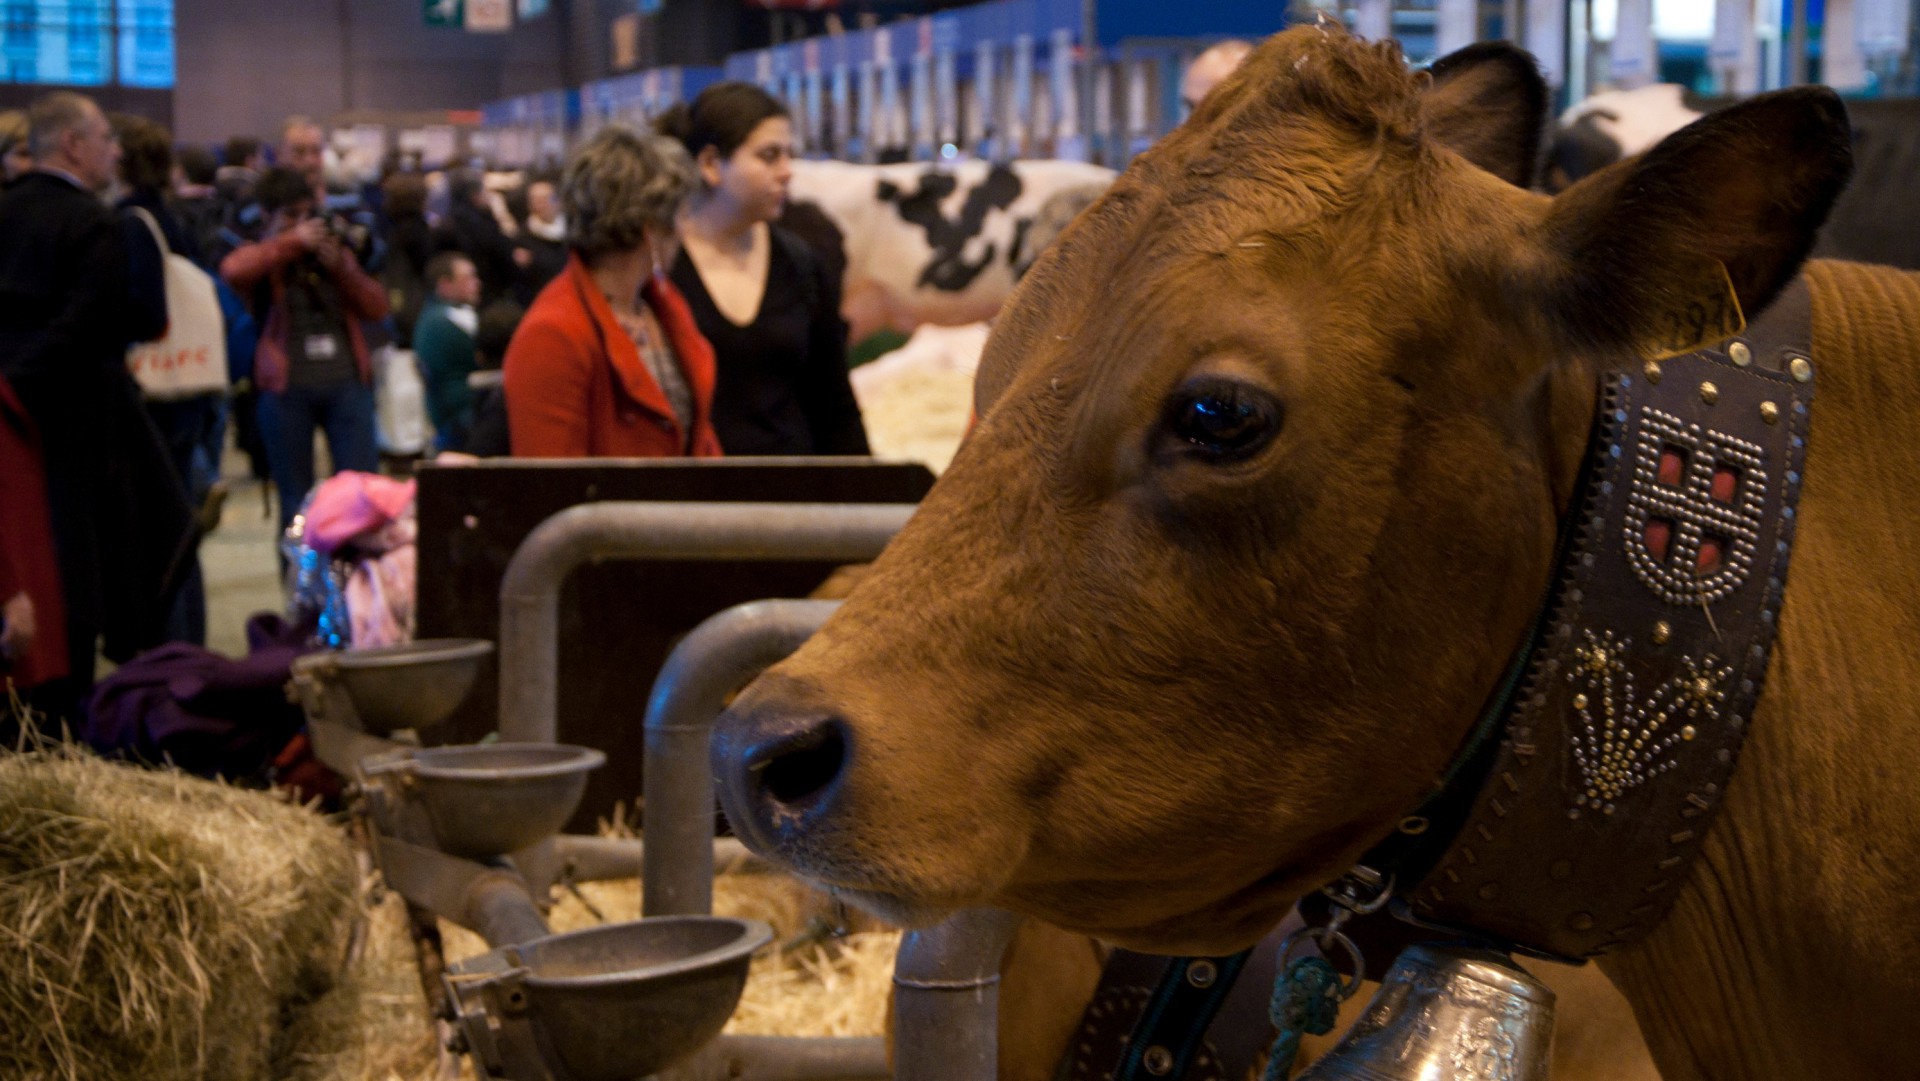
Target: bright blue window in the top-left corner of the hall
<point>87,43</point>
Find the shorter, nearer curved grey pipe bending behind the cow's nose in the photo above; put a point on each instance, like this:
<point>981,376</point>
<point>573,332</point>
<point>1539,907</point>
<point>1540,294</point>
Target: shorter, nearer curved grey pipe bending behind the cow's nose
<point>715,661</point>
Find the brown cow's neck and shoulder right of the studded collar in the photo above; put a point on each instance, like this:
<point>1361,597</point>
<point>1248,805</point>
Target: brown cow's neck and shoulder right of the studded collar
<point>1808,875</point>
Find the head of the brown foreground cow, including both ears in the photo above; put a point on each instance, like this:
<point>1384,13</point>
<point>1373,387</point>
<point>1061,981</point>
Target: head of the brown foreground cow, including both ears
<point>1262,498</point>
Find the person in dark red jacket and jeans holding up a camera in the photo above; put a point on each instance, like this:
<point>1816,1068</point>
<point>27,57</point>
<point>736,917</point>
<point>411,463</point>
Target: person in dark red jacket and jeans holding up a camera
<point>310,297</point>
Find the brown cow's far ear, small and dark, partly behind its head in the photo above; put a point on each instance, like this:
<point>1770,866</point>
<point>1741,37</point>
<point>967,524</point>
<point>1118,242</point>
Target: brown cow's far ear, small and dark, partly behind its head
<point>1489,105</point>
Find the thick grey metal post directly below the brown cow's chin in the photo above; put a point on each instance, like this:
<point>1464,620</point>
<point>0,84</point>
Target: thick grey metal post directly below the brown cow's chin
<point>948,997</point>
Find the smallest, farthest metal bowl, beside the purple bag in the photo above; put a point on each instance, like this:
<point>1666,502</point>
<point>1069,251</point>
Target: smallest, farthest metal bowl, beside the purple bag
<point>416,685</point>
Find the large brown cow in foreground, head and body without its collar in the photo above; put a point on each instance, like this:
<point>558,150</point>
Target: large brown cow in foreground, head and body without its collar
<point>1264,498</point>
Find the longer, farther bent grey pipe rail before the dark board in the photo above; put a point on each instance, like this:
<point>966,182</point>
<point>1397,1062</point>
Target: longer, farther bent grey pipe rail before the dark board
<point>531,590</point>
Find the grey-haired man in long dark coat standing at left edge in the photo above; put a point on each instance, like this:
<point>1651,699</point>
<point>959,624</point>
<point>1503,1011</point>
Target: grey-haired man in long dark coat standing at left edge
<point>66,322</point>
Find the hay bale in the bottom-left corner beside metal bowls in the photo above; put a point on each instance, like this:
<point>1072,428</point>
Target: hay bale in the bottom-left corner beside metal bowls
<point>160,926</point>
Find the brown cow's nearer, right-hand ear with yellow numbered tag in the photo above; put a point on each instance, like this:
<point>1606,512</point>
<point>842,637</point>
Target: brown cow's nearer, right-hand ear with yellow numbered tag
<point>1727,204</point>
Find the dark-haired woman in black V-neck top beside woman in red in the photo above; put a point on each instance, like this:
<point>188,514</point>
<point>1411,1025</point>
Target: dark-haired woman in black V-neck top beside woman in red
<point>757,293</point>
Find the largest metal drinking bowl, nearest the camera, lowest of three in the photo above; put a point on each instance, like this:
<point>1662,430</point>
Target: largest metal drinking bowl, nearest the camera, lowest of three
<point>610,1003</point>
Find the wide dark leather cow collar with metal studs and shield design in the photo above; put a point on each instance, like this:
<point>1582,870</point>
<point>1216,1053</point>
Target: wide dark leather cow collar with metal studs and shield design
<point>1573,825</point>
